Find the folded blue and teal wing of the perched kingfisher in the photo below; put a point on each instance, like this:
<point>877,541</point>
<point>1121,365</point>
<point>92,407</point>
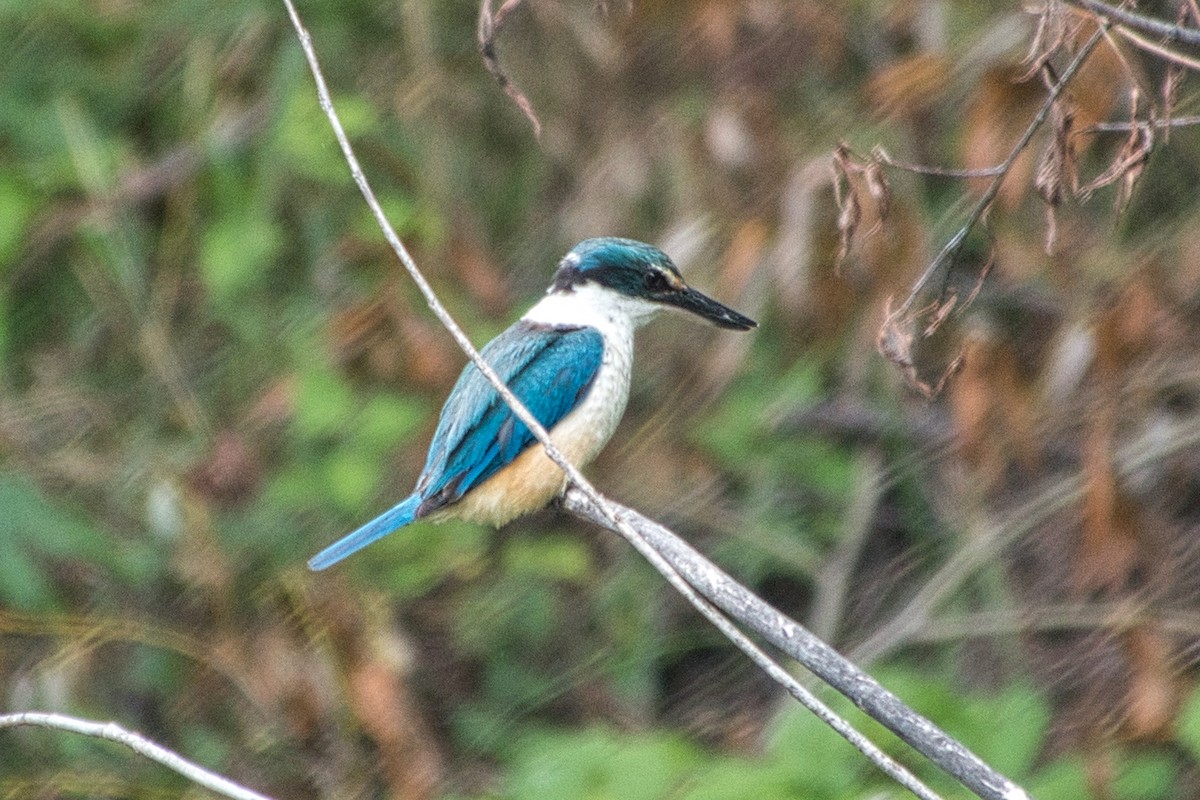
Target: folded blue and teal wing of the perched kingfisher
<point>549,369</point>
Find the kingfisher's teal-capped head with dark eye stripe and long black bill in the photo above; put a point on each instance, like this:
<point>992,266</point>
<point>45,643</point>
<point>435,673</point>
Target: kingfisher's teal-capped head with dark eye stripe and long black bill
<point>644,274</point>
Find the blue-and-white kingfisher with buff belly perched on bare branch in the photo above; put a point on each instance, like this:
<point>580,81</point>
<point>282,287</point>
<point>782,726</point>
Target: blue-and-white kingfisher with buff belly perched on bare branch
<point>569,360</point>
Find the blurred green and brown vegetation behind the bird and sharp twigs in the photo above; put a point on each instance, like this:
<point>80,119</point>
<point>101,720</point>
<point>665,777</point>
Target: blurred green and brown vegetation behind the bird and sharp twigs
<point>212,366</point>
